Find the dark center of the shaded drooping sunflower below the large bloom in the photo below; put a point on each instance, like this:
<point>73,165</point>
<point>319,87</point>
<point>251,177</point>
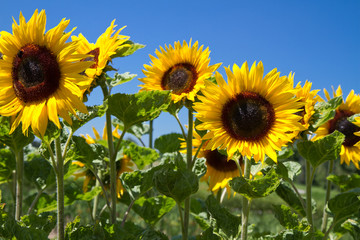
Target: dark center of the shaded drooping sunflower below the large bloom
<point>219,162</point>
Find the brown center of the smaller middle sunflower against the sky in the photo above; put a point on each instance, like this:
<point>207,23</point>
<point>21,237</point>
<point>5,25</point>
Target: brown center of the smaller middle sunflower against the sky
<point>180,78</point>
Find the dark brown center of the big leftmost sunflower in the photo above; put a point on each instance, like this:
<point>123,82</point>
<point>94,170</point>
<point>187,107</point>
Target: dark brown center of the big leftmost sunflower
<point>35,73</point>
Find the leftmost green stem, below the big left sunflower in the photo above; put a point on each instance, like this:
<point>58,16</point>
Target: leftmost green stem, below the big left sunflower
<point>19,183</point>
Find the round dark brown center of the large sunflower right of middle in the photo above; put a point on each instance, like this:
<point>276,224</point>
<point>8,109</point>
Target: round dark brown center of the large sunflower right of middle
<point>248,116</point>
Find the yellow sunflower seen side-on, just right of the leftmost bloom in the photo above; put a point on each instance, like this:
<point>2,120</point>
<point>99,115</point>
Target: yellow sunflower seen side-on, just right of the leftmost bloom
<point>105,47</point>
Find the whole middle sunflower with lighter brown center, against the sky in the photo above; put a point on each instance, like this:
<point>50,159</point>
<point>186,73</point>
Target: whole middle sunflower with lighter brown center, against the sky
<point>181,69</point>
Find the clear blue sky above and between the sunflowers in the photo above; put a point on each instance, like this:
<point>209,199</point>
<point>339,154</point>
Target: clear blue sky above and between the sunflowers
<point>318,40</point>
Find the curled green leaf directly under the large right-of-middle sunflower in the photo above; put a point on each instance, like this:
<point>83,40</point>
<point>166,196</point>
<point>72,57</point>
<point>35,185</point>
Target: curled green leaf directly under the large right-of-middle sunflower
<point>258,188</point>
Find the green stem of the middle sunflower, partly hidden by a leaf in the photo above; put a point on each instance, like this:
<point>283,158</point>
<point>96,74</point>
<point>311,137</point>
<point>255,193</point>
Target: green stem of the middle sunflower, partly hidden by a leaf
<point>189,166</point>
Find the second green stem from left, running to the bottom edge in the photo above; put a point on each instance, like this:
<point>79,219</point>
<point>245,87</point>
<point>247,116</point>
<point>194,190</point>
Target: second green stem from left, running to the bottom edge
<point>60,190</point>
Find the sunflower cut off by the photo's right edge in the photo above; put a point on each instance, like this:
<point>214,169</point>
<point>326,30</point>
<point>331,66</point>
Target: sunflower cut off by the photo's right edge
<point>350,149</point>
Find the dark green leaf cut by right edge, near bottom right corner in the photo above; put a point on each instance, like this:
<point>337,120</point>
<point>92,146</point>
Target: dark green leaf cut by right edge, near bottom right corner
<point>345,204</point>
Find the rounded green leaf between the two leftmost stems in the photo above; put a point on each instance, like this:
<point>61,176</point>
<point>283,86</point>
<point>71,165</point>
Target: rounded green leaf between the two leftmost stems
<point>39,171</point>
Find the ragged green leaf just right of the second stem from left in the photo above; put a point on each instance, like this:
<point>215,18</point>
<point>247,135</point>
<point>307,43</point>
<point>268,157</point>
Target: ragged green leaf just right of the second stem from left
<point>86,153</point>
